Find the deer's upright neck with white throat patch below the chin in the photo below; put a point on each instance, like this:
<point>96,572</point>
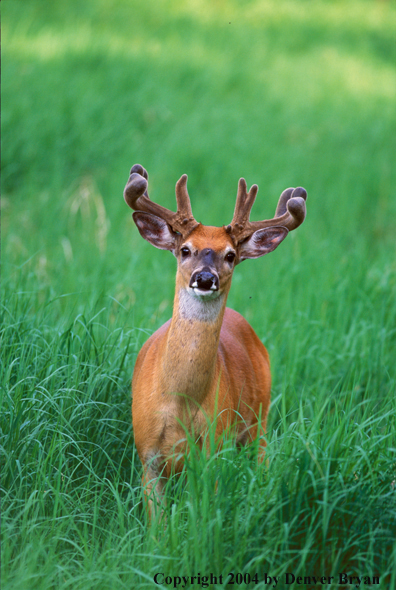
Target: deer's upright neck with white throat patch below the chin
<point>189,360</point>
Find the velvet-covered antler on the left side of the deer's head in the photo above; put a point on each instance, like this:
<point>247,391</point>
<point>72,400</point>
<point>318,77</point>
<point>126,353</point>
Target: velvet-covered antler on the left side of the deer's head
<point>136,196</point>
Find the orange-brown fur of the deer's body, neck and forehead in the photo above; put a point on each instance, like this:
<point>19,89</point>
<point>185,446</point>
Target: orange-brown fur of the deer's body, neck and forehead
<point>192,370</point>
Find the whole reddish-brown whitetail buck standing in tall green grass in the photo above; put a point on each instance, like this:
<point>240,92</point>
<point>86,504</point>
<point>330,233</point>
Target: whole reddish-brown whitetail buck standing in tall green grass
<point>206,362</point>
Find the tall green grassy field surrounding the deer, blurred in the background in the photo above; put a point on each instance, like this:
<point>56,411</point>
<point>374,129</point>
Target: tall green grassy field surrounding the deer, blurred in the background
<point>284,93</point>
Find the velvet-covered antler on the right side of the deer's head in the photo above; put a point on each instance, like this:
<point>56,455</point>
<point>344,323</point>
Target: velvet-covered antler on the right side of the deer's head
<point>290,212</point>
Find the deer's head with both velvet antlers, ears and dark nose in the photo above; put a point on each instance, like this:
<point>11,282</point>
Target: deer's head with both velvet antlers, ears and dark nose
<point>208,255</point>
